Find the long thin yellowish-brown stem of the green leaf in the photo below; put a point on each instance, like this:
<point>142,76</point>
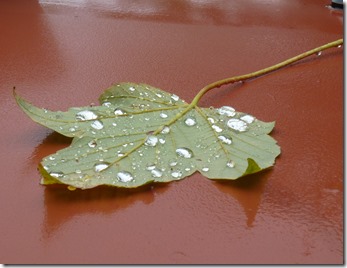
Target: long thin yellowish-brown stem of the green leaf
<point>264,71</point>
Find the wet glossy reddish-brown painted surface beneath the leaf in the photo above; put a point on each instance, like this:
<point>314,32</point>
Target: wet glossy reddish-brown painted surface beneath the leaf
<point>60,54</point>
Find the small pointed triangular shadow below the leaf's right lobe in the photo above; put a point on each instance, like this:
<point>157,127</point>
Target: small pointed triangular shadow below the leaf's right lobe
<point>248,191</point>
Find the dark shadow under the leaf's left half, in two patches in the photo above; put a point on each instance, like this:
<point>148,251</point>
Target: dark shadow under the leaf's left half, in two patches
<point>62,205</point>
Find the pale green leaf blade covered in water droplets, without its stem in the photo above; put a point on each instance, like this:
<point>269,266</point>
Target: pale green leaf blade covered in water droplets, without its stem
<point>140,134</point>
